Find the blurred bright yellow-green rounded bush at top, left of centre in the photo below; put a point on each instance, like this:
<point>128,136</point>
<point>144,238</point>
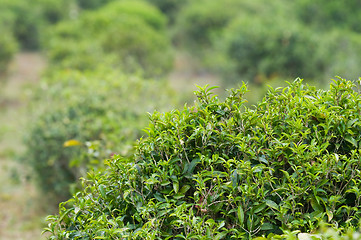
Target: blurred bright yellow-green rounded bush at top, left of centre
<point>114,34</point>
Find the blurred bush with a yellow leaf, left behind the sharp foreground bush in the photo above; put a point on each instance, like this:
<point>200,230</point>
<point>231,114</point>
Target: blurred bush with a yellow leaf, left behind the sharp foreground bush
<point>103,110</point>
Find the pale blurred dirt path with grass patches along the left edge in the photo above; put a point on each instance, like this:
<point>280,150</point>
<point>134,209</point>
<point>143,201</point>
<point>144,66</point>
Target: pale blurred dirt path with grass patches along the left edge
<point>20,214</point>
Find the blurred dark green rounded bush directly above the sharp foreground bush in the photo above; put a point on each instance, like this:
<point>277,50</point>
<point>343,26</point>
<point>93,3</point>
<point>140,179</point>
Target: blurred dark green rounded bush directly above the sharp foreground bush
<point>265,47</point>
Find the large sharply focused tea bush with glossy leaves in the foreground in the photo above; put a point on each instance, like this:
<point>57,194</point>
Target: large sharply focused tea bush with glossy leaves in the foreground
<point>220,170</point>
